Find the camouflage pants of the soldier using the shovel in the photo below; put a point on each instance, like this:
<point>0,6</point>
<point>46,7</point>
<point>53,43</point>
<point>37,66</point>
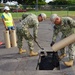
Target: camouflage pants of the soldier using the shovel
<point>24,33</point>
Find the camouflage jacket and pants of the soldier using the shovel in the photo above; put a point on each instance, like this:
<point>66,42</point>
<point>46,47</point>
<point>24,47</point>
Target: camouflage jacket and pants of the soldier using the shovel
<point>22,30</point>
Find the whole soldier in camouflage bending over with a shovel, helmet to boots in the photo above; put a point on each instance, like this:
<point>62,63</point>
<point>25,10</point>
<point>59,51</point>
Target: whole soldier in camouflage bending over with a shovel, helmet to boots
<point>22,30</point>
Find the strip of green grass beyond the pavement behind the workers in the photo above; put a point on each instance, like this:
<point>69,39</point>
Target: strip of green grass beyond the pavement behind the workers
<point>18,15</point>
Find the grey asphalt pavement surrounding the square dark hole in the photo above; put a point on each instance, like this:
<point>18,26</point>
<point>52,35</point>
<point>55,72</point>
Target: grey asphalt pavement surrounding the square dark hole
<point>11,63</point>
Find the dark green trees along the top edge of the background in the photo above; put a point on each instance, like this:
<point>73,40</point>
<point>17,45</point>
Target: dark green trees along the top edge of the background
<point>43,2</point>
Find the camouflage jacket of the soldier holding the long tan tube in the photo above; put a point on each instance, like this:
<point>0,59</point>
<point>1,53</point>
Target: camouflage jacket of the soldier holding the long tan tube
<point>67,27</point>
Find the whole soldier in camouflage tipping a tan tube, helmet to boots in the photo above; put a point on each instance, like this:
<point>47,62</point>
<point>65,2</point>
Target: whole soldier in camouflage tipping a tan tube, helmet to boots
<point>66,25</point>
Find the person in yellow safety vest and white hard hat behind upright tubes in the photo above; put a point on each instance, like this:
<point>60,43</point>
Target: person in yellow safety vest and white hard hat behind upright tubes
<point>7,19</point>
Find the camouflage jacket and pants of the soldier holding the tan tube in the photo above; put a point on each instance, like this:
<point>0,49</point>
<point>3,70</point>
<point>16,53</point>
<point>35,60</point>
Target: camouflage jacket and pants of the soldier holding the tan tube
<point>67,28</point>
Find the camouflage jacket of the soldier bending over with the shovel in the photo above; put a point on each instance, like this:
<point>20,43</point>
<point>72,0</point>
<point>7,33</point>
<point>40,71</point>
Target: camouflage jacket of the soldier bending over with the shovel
<point>30,21</point>
